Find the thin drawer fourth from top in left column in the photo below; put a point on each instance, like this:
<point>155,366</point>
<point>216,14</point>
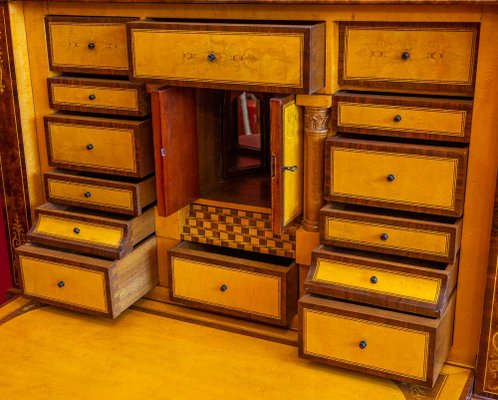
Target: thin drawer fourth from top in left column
<point>118,196</point>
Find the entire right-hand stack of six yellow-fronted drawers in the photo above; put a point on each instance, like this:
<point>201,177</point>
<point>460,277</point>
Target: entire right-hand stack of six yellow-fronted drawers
<point>381,288</point>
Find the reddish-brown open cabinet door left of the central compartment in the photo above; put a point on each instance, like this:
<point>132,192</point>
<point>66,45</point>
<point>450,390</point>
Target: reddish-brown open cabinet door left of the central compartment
<point>175,148</point>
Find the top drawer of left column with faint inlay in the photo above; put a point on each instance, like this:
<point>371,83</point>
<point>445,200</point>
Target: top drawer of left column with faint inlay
<point>95,45</point>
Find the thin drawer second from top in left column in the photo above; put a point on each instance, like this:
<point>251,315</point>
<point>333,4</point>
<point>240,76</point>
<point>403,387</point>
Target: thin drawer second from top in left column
<point>100,96</point>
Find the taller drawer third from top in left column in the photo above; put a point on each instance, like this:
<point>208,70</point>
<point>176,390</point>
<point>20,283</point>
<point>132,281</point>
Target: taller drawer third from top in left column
<point>110,146</point>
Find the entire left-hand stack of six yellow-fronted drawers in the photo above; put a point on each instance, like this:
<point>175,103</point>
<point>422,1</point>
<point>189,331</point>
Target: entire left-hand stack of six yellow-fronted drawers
<point>92,247</point>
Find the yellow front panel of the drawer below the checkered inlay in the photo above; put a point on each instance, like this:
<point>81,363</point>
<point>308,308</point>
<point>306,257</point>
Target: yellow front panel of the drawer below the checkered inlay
<point>226,287</point>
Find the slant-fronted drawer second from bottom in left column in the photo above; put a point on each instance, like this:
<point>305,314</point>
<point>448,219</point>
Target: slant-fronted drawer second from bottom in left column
<point>90,233</point>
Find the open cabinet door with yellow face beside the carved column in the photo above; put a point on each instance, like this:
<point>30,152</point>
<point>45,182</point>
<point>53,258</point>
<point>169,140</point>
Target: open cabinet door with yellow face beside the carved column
<point>287,161</point>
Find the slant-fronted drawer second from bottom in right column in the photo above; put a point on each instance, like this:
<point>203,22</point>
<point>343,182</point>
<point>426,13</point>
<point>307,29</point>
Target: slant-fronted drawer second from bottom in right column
<point>418,288</point>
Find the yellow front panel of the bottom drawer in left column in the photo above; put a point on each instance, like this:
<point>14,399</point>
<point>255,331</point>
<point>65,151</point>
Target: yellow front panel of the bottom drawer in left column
<point>80,287</point>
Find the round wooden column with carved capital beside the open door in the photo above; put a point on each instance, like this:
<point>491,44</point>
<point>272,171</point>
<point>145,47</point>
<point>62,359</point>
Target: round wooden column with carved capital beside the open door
<point>316,128</point>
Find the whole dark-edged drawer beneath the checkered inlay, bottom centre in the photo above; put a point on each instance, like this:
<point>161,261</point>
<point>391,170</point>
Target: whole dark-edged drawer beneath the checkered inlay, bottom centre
<point>228,281</point>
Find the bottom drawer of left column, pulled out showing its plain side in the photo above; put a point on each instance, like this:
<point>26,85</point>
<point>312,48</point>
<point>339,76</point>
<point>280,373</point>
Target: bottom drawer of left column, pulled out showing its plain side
<point>87,284</point>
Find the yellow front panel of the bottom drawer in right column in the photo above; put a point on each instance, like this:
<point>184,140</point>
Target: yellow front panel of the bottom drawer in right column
<point>367,344</point>
